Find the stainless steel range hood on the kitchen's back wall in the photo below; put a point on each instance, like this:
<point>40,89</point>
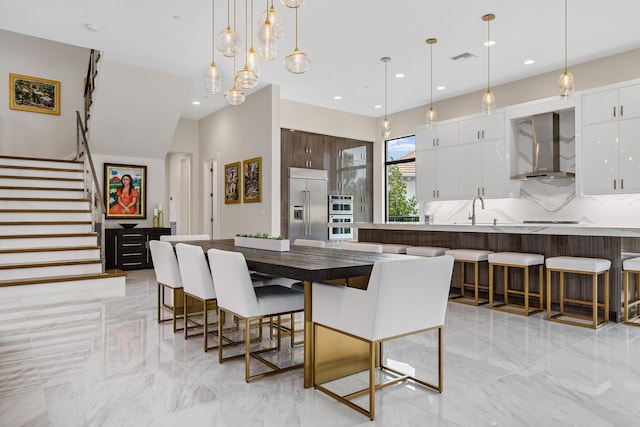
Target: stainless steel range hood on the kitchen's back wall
<point>539,137</point>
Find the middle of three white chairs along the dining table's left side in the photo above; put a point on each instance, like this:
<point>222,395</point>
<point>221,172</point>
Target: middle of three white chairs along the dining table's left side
<point>197,285</point>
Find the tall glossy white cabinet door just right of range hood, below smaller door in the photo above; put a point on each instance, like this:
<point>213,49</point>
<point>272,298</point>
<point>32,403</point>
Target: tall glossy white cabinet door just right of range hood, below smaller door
<point>600,158</point>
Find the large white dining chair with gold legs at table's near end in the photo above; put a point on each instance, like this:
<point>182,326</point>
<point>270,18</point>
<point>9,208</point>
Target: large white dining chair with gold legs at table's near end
<point>404,296</point>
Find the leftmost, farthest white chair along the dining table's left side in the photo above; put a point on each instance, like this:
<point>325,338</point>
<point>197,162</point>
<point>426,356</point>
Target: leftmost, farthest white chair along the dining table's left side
<point>168,277</point>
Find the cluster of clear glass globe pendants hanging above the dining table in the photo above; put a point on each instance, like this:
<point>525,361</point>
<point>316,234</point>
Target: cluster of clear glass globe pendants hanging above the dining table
<point>228,43</point>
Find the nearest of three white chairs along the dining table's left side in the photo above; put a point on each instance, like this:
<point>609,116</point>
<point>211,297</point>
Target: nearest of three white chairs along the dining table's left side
<point>236,295</point>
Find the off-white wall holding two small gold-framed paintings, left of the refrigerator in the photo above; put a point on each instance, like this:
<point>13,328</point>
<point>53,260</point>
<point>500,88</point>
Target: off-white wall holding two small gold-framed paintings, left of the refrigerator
<point>238,133</point>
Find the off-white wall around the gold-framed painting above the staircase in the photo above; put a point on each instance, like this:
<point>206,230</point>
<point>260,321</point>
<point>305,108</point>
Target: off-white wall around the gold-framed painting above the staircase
<point>24,133</point>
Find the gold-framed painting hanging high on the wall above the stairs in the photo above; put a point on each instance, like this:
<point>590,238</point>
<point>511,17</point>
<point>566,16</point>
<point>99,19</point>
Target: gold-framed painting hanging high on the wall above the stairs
<point>34,94</point>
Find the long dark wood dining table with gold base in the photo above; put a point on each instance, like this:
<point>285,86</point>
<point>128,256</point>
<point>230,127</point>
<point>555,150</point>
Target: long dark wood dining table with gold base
<point>307,264</point>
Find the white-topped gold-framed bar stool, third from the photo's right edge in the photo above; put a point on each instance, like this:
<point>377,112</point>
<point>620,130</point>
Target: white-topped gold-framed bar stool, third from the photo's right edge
<point>518,260</point>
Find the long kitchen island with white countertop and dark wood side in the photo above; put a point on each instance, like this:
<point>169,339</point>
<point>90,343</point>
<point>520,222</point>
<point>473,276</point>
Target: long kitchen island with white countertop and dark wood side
<point>584,240</point>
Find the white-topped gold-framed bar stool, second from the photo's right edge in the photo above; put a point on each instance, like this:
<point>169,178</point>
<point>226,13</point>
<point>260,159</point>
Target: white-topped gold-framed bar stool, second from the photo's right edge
<point>579,265</point>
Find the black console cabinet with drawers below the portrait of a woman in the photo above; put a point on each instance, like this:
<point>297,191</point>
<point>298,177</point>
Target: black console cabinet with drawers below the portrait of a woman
<point>128,248</point>
